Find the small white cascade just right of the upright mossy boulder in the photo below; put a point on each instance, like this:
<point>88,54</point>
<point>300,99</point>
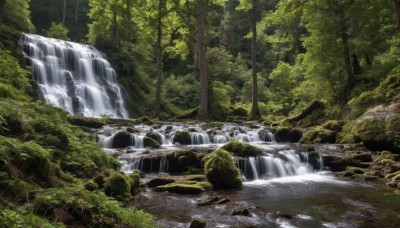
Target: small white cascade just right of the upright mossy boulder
<point>285,163</point>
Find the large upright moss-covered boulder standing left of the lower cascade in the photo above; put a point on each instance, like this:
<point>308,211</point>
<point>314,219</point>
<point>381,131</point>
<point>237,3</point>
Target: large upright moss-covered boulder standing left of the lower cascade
<point>221,170</point>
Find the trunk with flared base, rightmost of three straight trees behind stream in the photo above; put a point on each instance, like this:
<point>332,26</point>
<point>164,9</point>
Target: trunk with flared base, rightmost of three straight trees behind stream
<point>255,111</point>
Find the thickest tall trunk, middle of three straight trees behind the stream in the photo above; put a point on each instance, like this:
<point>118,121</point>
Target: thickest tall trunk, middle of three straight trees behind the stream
<point>201,52</point>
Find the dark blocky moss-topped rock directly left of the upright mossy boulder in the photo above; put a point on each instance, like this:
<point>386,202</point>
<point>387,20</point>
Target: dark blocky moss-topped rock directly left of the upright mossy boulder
<point>181,161</point>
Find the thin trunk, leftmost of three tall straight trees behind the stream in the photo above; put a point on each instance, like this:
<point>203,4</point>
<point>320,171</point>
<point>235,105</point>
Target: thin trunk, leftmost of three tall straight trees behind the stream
<point>159,67</point>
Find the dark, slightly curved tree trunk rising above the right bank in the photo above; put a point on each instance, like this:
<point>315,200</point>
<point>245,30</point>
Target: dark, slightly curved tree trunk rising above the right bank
<point>346,56</point>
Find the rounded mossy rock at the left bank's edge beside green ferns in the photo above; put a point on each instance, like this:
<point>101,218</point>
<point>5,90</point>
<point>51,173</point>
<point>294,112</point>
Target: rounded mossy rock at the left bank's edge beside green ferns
<point>118,185</point>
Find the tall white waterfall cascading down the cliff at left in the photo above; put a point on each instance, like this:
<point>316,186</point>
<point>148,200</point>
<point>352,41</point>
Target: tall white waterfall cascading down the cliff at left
<point>74,77</point>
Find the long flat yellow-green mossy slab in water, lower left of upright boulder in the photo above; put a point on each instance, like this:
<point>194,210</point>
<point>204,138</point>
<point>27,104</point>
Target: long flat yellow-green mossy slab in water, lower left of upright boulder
<point>186,188</point>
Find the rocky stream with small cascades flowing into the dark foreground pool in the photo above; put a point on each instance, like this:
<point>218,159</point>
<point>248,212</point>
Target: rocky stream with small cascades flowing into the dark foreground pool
<point>280,189</point>
